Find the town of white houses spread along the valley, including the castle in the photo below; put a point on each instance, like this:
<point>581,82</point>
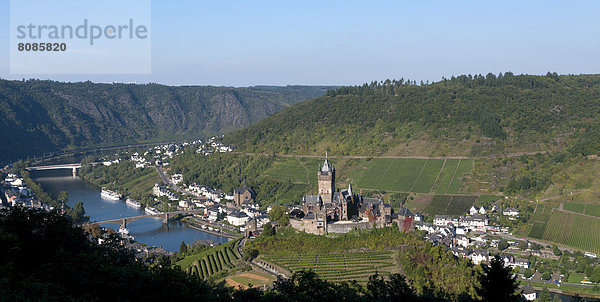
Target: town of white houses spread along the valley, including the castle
<point>331,211</point>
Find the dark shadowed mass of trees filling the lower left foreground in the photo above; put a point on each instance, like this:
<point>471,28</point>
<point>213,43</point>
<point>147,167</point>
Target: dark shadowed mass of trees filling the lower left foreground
<point>74,268</point>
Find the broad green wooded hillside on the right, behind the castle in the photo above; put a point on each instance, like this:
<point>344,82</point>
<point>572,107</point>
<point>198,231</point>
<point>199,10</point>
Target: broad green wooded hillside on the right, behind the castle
<point>464,115</point>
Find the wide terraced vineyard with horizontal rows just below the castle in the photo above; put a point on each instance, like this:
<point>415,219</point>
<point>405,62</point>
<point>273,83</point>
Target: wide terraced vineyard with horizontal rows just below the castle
<point>339,266</point>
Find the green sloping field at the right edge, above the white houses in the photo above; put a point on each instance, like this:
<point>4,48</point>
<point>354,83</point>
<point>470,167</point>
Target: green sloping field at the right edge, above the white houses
<point>570,229</point>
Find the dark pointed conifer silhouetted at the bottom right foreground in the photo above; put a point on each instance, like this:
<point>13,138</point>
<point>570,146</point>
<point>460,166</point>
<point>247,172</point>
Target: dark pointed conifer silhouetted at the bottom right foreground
<point>497,283</point>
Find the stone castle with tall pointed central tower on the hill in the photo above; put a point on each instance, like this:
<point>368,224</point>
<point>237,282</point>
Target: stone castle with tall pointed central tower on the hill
<point>339,212</point>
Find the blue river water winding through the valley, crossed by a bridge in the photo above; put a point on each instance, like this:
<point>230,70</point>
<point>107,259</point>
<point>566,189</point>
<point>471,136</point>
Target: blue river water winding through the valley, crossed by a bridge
<point>148,230</point>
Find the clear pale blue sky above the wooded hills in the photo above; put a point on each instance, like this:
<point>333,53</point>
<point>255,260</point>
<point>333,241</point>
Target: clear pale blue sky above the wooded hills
<point>246,43</point>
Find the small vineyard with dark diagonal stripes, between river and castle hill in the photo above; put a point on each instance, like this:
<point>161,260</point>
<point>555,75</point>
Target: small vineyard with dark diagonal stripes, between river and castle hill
<point>205,265</point>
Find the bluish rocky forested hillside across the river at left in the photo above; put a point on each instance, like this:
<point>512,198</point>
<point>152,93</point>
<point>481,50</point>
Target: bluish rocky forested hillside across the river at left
<point>41,116</point>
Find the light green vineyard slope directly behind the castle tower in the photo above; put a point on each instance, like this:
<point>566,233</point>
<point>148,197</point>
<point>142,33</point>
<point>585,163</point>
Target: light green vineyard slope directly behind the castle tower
<point>389,174</point>
